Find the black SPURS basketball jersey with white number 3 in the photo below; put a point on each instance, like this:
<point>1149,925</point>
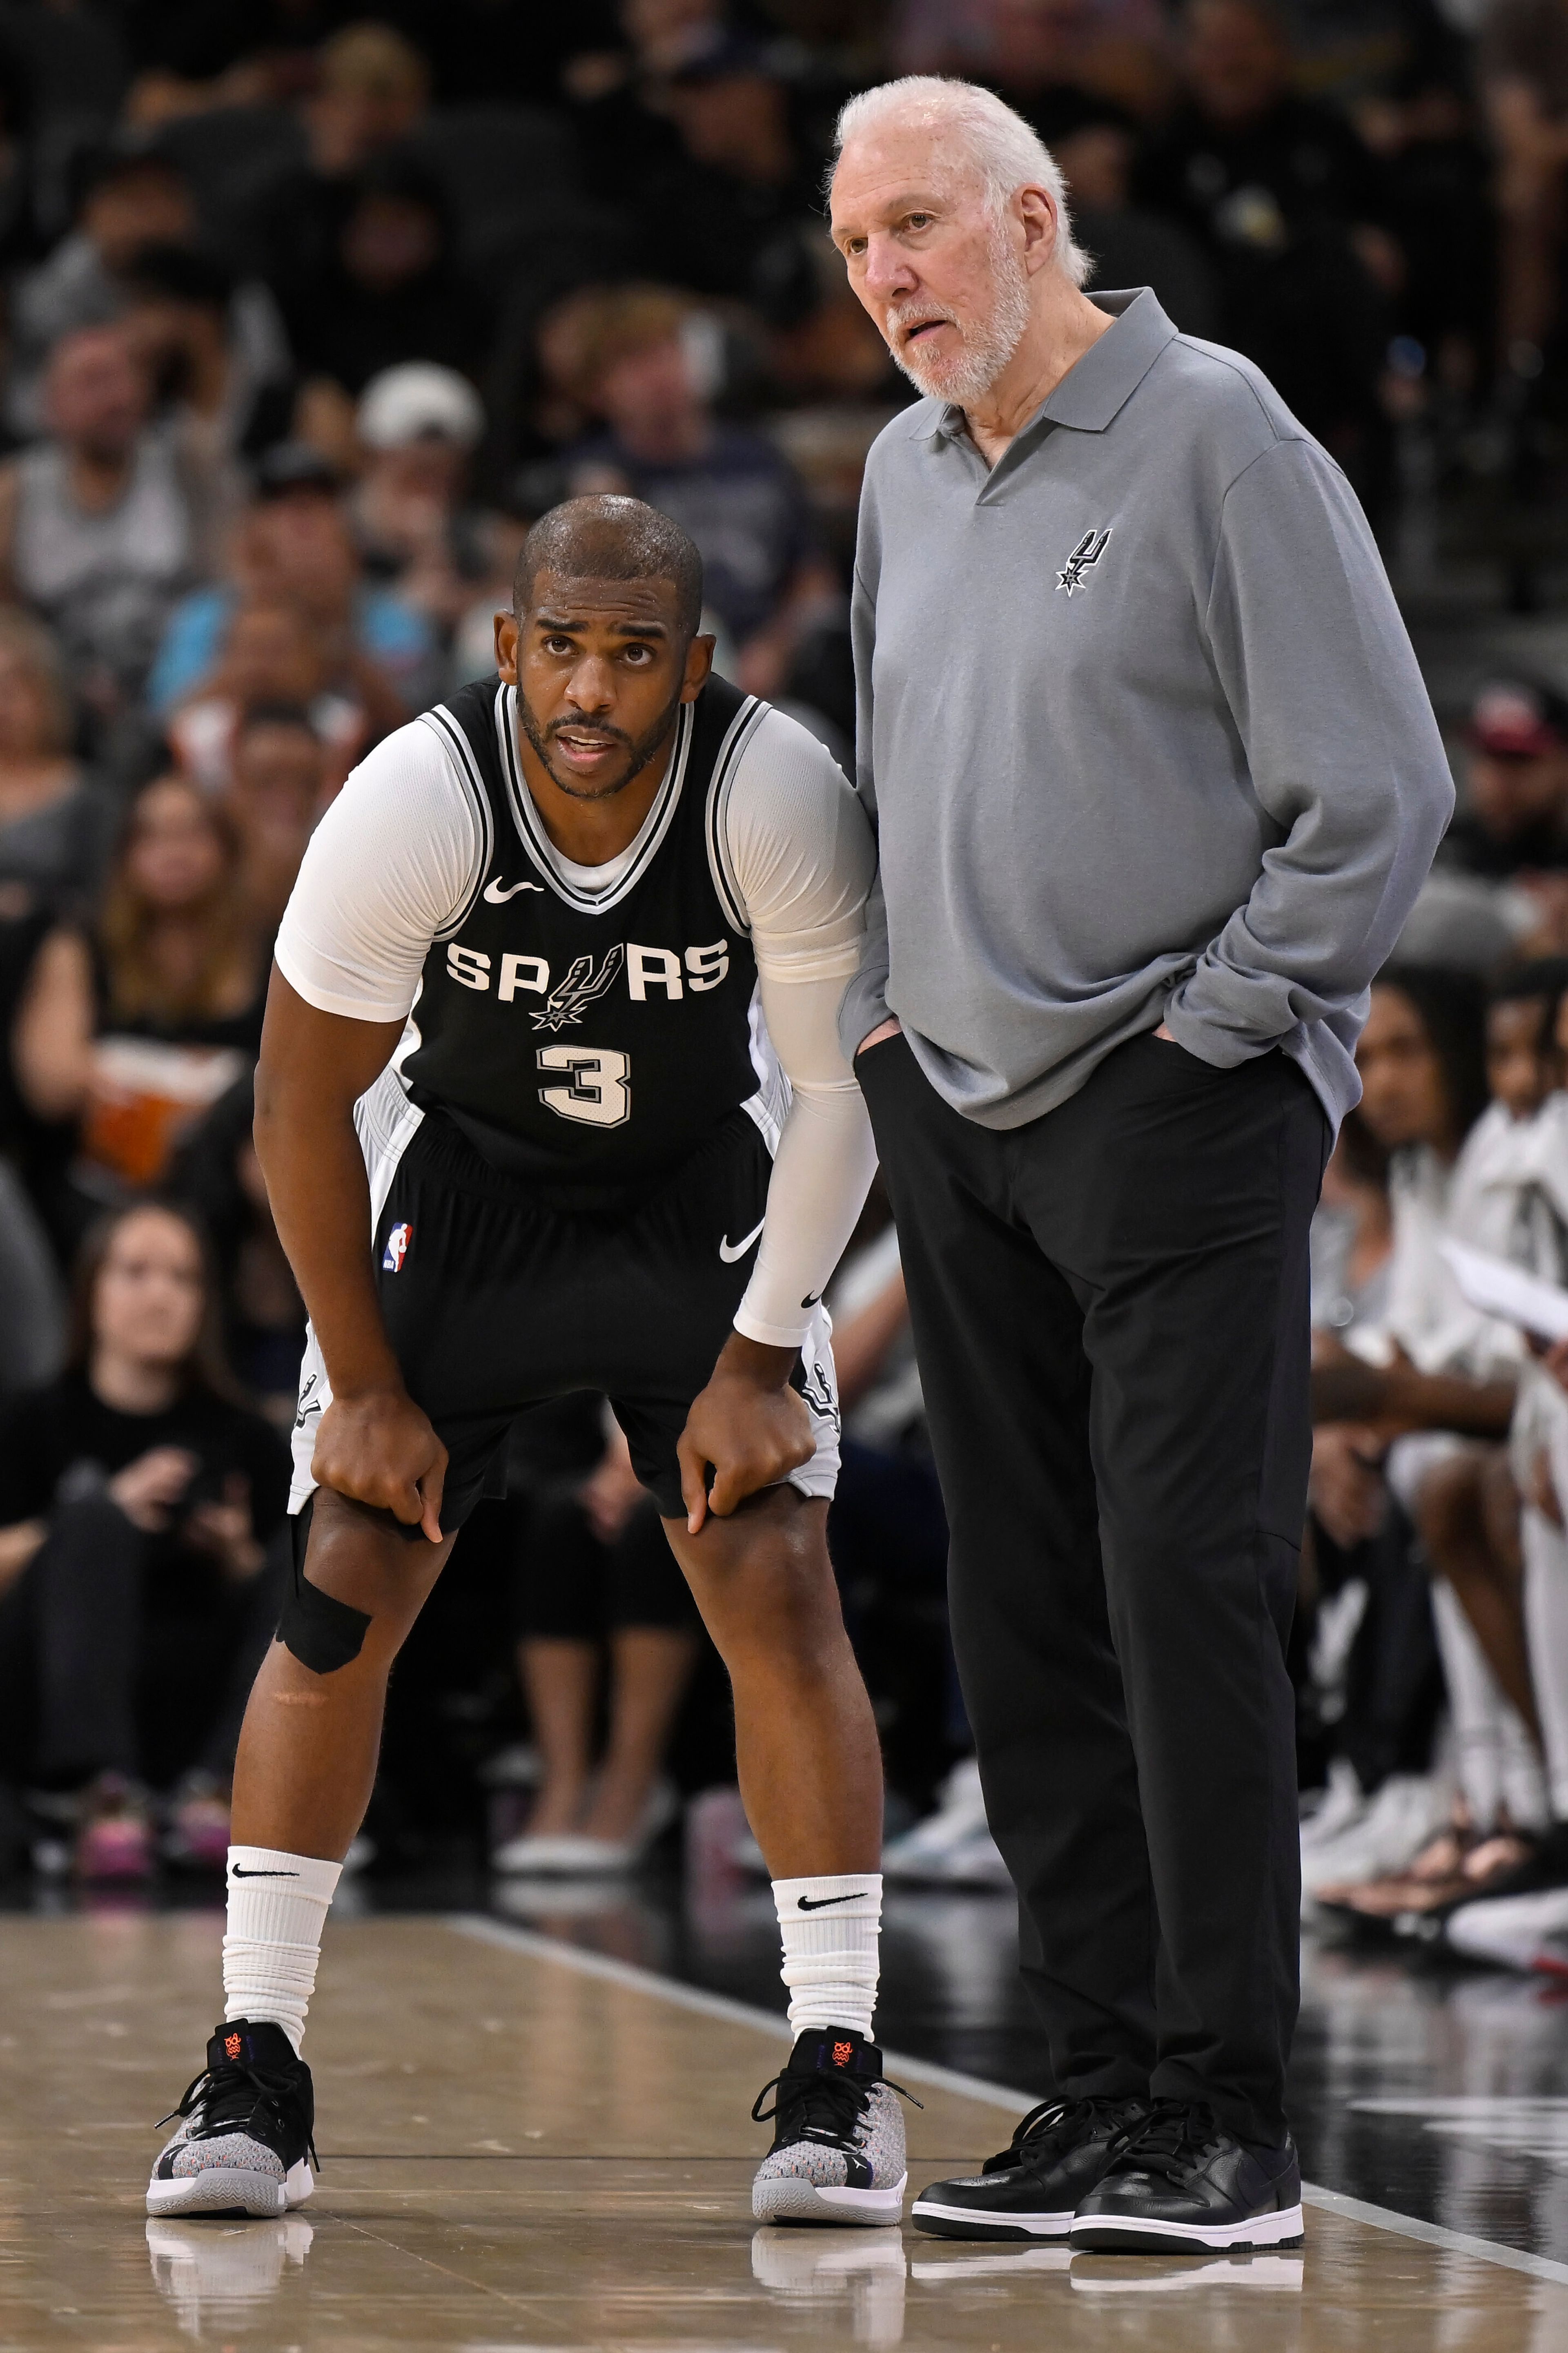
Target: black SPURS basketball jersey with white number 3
<point>591,1041</point>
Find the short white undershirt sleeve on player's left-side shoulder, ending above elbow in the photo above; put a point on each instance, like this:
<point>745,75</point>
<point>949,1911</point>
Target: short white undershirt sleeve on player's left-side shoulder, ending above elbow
<point>389,867</point>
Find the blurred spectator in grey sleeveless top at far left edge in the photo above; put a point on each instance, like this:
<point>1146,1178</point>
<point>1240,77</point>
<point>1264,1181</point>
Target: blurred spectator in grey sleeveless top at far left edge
<point>105,524</point>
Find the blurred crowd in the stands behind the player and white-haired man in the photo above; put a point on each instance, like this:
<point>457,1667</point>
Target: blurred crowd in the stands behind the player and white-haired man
<point>304,319</point>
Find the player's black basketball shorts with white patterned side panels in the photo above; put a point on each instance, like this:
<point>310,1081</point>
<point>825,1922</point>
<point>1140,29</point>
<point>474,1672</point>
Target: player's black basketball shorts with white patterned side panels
<point>495,1302</point>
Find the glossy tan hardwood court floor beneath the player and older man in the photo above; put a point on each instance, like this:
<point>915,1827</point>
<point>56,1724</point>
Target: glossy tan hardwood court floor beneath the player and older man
<point>523,2152</point>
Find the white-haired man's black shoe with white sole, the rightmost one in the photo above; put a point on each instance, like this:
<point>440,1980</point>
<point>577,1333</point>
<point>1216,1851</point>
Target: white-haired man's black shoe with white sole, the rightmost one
<point>1181,2185</point>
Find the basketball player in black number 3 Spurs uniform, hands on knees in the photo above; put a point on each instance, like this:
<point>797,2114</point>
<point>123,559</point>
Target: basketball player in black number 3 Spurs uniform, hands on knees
<point>525,1131</point>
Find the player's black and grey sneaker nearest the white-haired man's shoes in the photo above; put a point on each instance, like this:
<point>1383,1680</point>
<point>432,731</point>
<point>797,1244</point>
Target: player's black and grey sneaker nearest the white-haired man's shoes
<point>838,2135</point>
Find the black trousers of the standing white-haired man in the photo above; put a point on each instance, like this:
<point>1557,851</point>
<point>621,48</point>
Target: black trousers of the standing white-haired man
<point>1111,1319</point>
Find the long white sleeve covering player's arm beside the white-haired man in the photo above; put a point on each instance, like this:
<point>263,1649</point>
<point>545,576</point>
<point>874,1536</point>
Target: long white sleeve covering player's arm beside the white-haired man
<point>803,858</point>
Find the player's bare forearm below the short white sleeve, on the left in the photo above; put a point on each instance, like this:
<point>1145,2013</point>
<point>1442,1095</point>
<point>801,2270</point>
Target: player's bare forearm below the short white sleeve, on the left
<point>321,1204</point>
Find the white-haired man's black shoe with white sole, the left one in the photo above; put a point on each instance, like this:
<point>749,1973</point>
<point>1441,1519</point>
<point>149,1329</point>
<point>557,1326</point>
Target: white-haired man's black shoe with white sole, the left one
<point>1033,2187</point>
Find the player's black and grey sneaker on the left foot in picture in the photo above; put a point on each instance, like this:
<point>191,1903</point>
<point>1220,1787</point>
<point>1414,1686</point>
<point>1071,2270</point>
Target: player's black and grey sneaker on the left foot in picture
<point>246,2131</point>
